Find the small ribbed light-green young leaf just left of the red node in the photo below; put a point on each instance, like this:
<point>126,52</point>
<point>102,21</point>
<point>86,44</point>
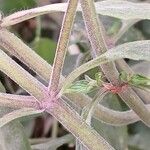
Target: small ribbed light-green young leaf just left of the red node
<point>82,86</point>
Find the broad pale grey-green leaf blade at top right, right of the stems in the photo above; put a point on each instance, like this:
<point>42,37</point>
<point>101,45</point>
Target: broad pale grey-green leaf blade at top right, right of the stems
<point>123,9</point>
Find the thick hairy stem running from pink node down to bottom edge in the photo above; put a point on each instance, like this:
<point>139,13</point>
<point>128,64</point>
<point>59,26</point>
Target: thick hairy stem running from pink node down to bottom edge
<point>83,132</point>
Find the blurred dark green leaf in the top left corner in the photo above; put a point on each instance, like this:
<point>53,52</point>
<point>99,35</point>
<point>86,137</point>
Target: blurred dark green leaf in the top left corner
<point>8,6</point>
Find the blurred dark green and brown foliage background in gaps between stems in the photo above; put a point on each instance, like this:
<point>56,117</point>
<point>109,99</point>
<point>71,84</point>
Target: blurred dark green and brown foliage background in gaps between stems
<point>132,137</point>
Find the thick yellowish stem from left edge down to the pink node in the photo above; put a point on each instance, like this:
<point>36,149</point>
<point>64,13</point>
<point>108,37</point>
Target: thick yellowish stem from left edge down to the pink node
<point>22,77</point>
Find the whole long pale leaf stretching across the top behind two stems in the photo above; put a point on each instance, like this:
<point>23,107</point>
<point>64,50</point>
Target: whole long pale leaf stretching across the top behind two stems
<point>119,9</point>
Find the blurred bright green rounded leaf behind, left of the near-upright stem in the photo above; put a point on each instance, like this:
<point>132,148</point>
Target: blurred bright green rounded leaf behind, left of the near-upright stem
<point>45,48</point>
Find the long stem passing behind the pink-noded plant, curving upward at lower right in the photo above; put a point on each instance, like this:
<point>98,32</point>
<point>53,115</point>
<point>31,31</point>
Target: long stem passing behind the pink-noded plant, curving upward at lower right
<point>35,62</point>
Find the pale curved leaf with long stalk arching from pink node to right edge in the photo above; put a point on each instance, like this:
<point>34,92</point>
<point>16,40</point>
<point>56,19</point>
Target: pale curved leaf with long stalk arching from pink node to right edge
<point>138,50</point>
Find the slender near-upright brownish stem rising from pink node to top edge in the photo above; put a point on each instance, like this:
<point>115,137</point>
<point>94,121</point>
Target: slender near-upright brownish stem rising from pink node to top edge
<point>62,45</point>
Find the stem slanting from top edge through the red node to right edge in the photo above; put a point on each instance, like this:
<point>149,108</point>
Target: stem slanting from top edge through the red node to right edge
<point>95,29</point>
